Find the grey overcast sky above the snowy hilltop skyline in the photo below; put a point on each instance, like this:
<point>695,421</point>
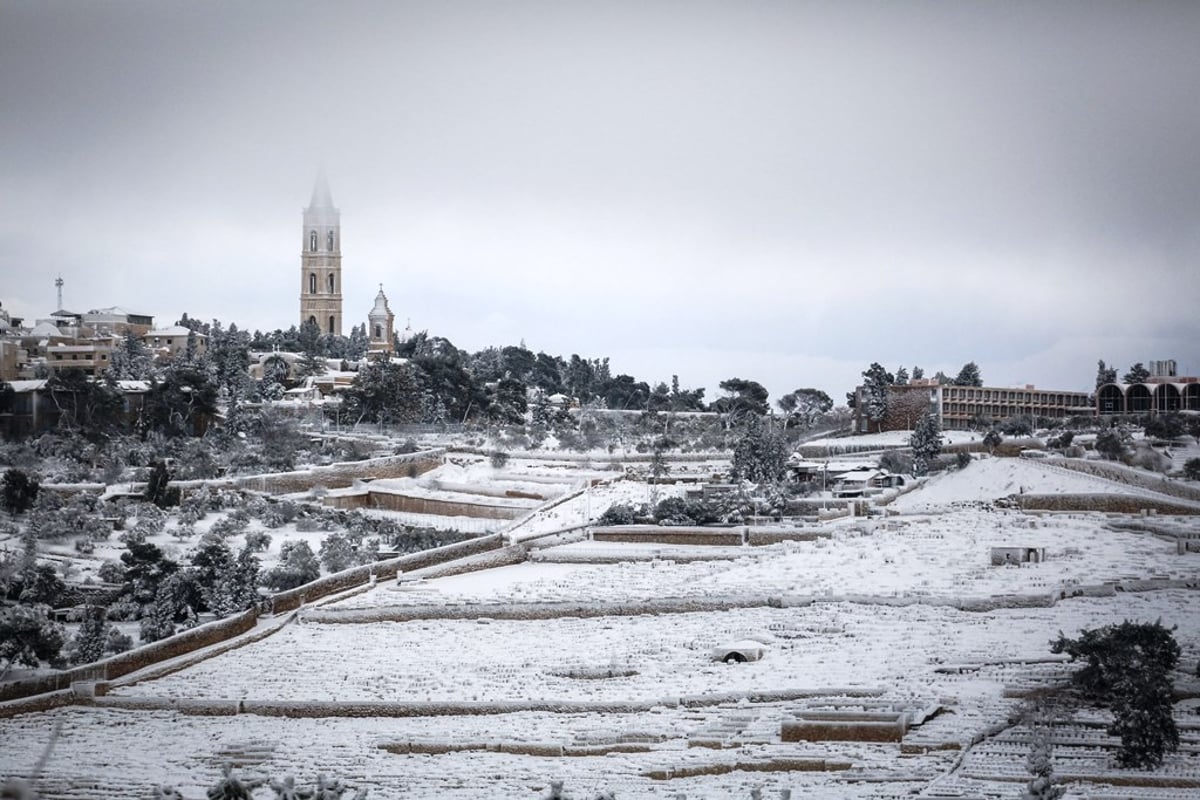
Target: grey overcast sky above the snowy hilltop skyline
<point>779,191</point>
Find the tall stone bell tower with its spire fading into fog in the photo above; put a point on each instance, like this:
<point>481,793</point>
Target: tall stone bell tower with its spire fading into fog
<point>321,262</point>
